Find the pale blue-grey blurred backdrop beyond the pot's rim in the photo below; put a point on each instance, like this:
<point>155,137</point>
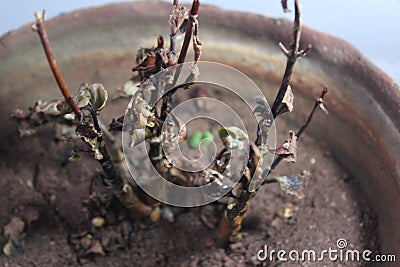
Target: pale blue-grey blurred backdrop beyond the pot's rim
<point>372,26</point>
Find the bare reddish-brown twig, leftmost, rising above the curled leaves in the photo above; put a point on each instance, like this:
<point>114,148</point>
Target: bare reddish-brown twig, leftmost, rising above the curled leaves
<point>41,30</point>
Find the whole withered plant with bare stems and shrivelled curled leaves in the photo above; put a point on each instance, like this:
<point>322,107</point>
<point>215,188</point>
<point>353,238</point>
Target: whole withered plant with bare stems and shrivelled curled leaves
<point>80,112</point>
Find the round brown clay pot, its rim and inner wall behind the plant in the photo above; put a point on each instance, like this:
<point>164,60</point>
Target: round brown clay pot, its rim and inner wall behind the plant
<point>363,129</point>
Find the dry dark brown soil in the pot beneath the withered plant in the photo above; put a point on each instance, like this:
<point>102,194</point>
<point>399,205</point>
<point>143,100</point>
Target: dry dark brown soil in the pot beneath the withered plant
<point>35,181</point>
